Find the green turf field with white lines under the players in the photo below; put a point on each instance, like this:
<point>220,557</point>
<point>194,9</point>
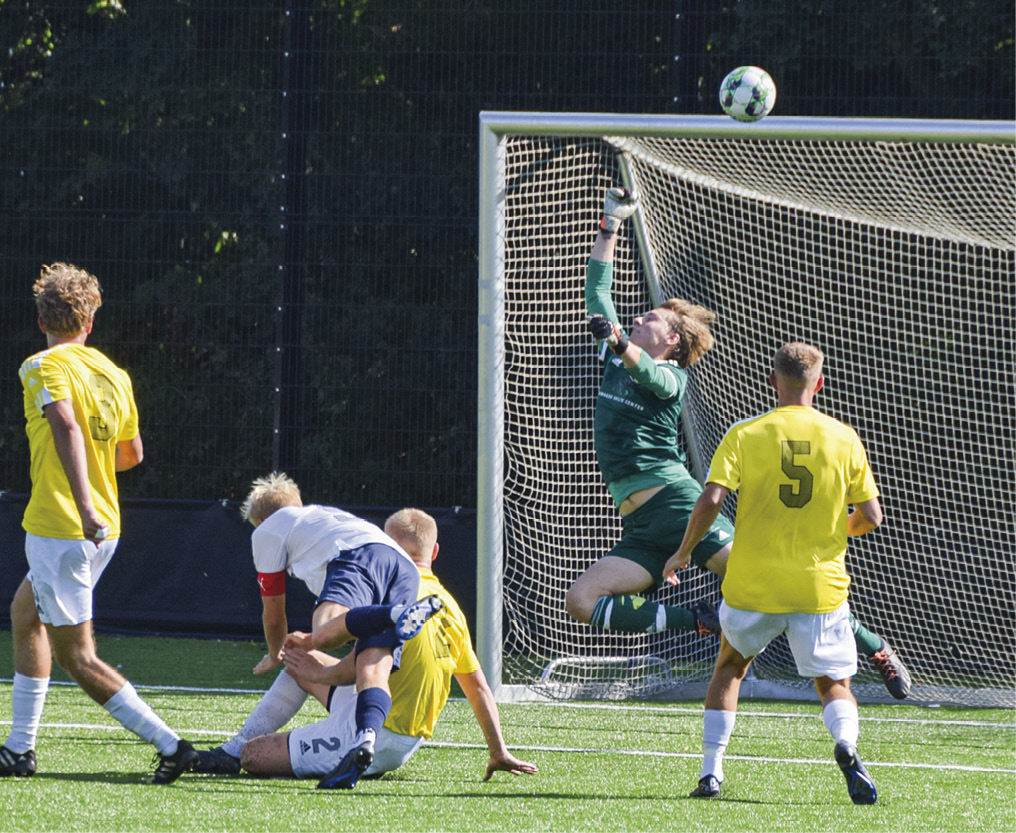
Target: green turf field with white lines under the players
<point>603,766</point>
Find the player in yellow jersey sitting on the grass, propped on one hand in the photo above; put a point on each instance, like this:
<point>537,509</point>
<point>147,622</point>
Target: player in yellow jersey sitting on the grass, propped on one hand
<point>419,691</point>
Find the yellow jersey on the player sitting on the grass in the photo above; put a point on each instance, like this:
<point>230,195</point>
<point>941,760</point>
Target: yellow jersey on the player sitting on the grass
<point>420,688</point>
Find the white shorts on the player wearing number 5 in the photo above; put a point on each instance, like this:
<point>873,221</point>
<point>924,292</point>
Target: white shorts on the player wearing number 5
<point>822,645</point>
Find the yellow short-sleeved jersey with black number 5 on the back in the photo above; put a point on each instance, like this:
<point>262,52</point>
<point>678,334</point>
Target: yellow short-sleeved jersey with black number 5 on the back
<point>796,472</point>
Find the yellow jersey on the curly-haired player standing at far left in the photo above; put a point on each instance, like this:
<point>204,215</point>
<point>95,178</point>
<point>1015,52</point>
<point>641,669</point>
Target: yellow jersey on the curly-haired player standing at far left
<point>106,413</point>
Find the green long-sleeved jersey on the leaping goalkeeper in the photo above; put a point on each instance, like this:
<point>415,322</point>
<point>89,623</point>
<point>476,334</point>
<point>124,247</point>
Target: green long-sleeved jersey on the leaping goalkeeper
<point>636,429</point>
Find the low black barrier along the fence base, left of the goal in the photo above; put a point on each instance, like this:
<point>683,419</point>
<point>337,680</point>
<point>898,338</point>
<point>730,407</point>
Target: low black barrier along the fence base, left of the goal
<point>185,567</point>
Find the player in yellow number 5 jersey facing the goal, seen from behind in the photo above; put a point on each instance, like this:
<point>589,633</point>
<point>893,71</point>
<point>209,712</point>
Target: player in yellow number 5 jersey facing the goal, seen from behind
<point>796,472</point>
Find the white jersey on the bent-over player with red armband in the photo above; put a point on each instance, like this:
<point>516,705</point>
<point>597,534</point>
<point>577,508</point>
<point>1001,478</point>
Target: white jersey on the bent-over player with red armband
<point>302,540</point>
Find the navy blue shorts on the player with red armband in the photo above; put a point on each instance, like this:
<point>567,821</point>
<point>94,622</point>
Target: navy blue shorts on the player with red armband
<point>372,574</point>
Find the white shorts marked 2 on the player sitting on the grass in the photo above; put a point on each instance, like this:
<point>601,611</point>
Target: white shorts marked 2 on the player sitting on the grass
<point>316,750</point>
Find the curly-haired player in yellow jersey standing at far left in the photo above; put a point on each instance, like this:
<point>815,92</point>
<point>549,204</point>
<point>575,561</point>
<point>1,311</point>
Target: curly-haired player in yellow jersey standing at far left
<point>83,428</point>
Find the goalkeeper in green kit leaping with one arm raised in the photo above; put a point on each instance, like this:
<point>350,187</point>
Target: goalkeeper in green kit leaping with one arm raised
<point>637,430</point>
